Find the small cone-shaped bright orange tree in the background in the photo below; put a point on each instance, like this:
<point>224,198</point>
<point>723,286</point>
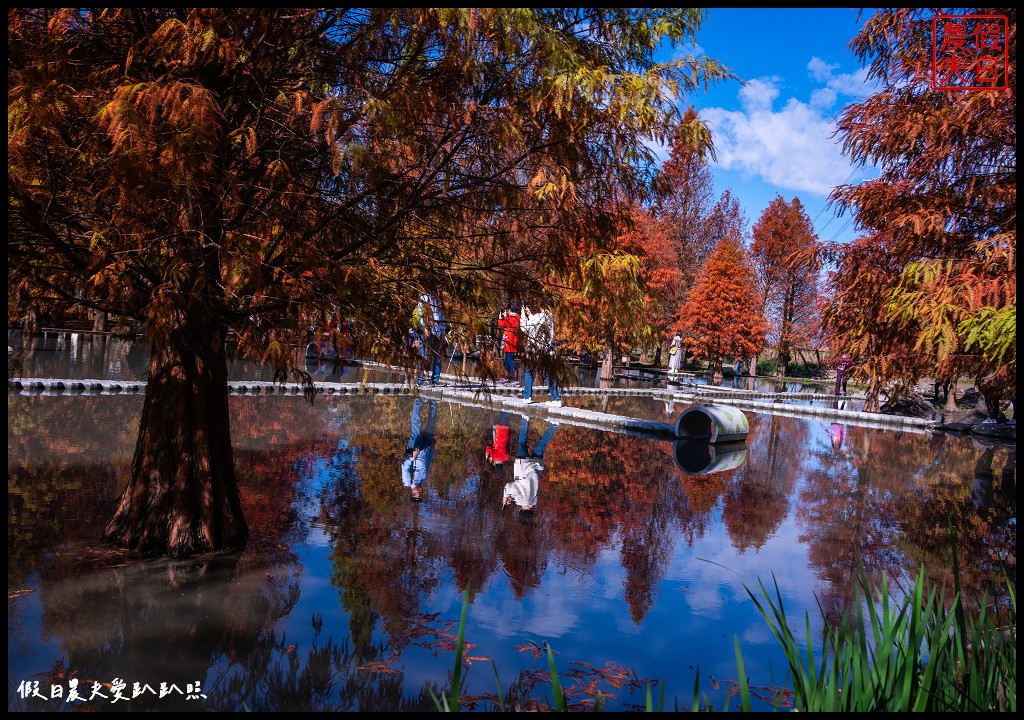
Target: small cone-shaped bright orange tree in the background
<point>722,316</point>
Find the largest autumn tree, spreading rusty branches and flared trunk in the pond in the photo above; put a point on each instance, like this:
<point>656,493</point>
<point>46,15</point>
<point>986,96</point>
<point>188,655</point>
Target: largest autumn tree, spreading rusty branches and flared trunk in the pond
<point>246,175</point>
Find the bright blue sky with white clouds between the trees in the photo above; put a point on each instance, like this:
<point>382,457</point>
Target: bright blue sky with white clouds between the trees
<point>775,136</point>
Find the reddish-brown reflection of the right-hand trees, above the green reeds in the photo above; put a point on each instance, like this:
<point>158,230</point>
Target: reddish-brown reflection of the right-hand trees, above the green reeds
<point>884,502</point>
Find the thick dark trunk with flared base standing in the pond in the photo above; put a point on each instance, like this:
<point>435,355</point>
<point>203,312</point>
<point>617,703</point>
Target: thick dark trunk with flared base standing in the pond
<point>183,498</point>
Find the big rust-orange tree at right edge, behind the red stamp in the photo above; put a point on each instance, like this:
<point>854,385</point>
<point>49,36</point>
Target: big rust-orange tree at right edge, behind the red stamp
<point>940,223</point>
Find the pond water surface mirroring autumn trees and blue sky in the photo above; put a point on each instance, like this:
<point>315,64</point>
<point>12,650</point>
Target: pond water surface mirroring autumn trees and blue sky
<point>634,566</point>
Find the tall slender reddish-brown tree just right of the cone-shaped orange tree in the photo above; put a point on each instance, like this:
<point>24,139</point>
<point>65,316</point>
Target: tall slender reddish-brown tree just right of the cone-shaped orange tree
<point>783,256</point>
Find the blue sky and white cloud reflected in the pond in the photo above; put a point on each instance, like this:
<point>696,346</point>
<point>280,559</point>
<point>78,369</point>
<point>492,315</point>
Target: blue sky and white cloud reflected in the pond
<point>699,606</point>
